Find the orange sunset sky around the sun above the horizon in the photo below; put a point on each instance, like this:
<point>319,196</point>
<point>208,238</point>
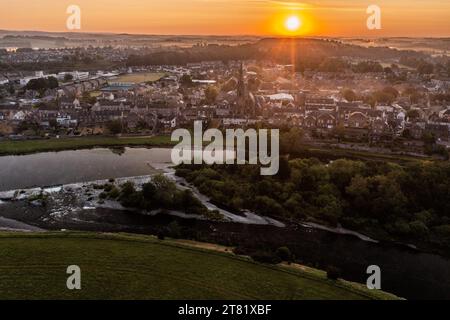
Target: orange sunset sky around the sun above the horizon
<point>231,17</point>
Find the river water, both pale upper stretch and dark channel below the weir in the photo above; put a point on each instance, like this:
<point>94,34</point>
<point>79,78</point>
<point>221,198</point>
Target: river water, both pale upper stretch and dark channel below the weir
<point>405,272</point>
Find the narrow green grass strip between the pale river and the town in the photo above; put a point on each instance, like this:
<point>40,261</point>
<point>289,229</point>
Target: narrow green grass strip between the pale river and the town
<point>47,145</point>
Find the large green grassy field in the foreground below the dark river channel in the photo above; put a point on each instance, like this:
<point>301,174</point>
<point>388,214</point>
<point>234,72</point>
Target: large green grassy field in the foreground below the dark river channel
<point>33,266</point>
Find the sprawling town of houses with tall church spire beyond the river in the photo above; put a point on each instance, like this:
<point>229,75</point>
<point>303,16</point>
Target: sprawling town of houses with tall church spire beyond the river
<point>349,102</point>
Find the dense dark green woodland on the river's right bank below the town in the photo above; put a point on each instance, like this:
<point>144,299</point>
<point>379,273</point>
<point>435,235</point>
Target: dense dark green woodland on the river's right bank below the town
<point>389,201</point>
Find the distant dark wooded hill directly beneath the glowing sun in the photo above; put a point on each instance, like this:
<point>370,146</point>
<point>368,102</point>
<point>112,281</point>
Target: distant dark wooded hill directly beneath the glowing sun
<point>280,50</point>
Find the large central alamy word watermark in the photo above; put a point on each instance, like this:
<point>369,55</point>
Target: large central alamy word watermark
<point>228,149</point>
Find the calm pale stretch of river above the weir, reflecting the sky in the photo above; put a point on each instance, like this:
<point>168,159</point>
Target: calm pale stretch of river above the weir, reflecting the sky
<point>54,168</point>
